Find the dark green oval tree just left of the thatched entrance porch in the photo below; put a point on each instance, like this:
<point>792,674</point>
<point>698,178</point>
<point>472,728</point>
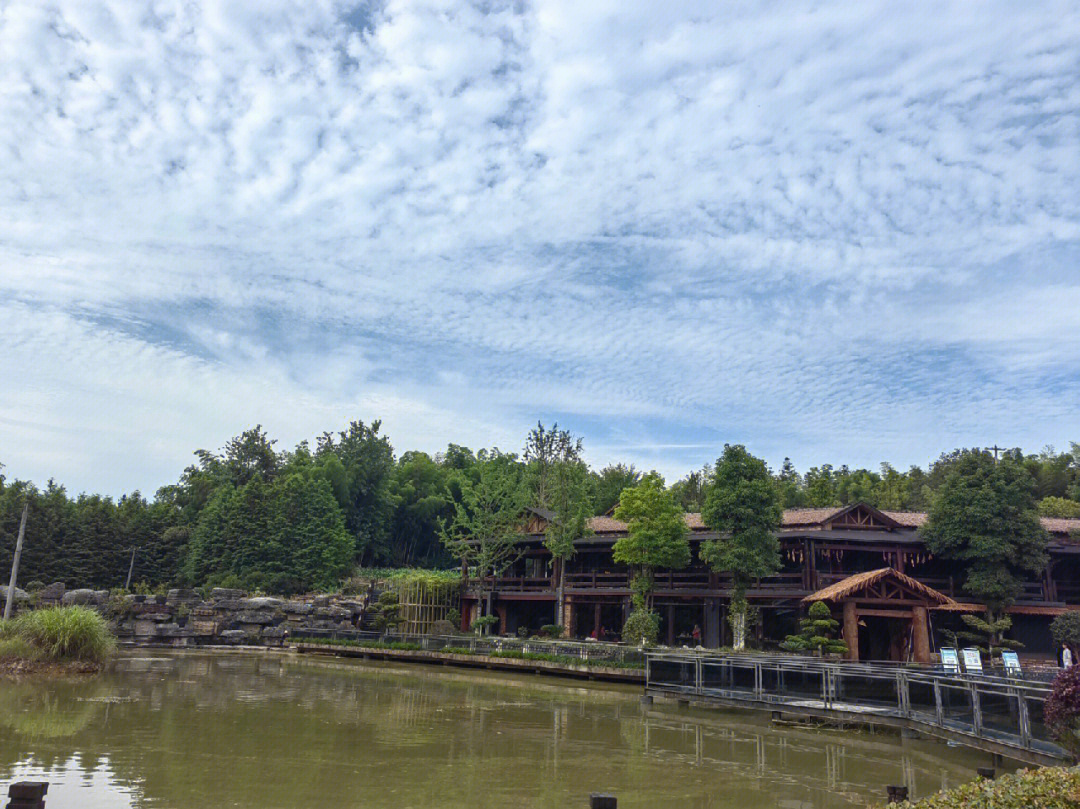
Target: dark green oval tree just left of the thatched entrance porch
<point>742,506</point>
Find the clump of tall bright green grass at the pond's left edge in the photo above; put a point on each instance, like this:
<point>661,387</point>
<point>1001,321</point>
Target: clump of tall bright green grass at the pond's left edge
<point>58,635</point>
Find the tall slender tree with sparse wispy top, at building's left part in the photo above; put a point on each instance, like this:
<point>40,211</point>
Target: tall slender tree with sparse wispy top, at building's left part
<point>559,479</point>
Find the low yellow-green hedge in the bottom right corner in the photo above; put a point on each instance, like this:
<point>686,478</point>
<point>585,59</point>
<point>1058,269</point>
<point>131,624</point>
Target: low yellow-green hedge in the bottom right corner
<point>1049,788</point>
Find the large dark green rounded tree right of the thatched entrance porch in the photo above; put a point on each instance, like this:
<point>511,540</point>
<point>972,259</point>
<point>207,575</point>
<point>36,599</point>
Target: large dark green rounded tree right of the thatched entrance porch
<point>984,516</point>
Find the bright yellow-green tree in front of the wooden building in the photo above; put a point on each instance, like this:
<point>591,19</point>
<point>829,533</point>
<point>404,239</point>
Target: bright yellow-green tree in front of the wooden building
<point>656,535</point>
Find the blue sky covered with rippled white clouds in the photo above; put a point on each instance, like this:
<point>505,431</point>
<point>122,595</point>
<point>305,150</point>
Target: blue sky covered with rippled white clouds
<point>842,233</point>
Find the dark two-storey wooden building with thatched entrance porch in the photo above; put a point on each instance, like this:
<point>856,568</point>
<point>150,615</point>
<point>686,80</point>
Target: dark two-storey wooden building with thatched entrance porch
<point>871,567</point>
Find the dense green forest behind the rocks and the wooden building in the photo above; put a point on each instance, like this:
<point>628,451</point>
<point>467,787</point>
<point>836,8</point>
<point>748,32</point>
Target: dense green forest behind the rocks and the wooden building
<point>288,521</point>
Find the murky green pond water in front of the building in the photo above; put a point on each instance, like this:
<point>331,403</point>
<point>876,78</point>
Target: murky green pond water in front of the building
<point>215,730</point>
